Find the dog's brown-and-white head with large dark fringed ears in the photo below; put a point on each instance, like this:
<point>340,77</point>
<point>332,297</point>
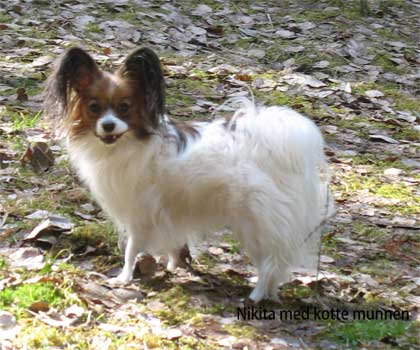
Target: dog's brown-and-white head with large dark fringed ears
<point>88,100</point>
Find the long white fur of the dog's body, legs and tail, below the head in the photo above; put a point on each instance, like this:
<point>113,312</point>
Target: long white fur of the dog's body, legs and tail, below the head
<point>265,177</point>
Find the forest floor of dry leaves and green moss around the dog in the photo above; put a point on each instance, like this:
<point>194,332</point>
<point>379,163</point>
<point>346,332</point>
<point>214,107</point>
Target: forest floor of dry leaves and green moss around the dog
<point>353,69</point>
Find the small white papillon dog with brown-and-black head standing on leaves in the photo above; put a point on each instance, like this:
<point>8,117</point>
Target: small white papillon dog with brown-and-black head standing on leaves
<point>261,172</point>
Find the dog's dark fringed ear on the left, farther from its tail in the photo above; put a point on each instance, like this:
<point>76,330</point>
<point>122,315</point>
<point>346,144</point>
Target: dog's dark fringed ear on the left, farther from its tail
<point>74,71</point>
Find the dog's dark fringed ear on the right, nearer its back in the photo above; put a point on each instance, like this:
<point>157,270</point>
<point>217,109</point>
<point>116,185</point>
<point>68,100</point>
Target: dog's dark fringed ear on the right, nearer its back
<point>142,68</point>
